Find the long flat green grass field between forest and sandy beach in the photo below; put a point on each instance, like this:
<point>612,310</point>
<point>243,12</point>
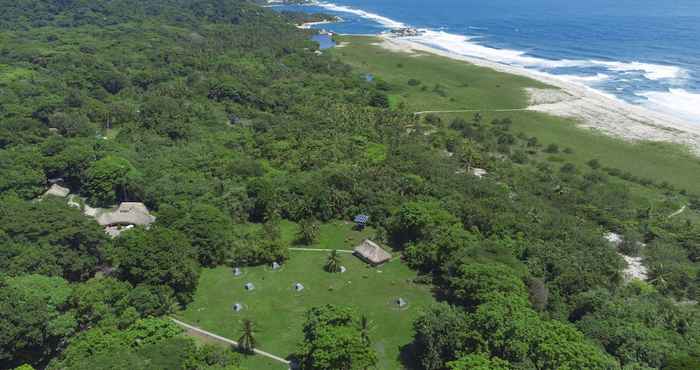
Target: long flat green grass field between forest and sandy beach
<point>465,86</point>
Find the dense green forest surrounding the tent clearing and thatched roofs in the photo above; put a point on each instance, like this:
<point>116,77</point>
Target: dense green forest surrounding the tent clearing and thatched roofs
<point>218,114</point>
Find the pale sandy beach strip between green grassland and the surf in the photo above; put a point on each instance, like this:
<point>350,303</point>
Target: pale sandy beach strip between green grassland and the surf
<point>591,109</point>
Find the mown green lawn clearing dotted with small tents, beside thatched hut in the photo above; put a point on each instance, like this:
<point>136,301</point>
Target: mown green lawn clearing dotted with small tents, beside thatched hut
<point>278,311</point>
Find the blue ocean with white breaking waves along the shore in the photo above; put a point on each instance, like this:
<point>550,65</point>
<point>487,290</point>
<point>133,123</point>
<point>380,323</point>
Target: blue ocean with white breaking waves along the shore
<point>644,52</point>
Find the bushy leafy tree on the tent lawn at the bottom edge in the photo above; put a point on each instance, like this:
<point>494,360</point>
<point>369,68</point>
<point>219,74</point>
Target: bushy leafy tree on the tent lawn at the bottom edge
<point>333,340</point>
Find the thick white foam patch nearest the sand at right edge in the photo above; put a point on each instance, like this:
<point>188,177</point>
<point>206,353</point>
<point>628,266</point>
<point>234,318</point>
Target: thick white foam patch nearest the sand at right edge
<point>676,102</point>
